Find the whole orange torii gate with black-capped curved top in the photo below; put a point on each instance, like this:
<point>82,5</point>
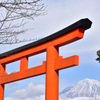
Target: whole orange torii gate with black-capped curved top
<point>51,66</point>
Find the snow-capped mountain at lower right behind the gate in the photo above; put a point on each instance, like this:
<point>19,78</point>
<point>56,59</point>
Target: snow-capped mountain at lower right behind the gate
<point>84,88</point>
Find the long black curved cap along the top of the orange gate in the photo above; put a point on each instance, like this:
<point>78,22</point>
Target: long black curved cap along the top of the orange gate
<point>83,23</point>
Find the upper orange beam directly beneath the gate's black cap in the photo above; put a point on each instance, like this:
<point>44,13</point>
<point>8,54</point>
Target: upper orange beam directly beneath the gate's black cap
<point>60,41</point>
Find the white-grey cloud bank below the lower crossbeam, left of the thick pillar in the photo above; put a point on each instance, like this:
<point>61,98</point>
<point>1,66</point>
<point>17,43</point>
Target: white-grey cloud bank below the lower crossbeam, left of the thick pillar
<point>32,92</point>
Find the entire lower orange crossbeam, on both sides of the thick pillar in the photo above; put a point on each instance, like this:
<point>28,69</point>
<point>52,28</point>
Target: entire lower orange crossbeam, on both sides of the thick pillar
<point>38,70</point>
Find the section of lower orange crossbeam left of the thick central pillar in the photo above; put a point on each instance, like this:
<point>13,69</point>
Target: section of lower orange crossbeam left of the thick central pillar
<point>7,78</point>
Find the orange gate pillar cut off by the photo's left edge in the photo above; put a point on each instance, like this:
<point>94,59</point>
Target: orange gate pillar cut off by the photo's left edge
<point>2,71</point>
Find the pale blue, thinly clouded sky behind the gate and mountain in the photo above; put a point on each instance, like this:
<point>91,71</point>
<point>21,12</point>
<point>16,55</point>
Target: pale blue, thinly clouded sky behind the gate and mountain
<point>60,14</point>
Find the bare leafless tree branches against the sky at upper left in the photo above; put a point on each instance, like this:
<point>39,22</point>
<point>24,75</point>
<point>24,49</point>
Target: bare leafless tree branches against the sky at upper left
<point>14,15</point>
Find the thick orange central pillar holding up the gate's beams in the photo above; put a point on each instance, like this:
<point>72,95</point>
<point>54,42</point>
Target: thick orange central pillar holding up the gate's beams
<point>52,76</point>
